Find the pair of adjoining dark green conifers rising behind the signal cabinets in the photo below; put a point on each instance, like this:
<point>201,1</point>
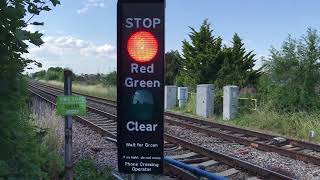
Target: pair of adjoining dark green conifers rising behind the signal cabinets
<point>206,61</point>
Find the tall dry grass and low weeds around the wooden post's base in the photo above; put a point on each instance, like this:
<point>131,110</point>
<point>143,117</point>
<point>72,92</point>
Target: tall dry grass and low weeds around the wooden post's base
<point>47,124</point>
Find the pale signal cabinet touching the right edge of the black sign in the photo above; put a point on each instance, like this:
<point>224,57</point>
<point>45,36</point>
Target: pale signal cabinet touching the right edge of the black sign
<point>170,97</point>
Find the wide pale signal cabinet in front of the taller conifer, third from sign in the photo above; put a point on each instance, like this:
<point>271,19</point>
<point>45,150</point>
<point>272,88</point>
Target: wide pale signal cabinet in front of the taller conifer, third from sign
<point>205,100</point>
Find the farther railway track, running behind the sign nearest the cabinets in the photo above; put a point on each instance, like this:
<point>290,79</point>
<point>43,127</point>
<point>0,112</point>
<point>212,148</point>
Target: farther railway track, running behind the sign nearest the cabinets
<point>299,150</point>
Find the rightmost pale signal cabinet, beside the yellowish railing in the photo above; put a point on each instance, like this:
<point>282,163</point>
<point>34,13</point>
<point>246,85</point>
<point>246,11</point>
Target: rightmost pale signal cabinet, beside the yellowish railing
<point>230,102</point>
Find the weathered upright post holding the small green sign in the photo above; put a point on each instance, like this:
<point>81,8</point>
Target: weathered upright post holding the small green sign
<point>68,129</point>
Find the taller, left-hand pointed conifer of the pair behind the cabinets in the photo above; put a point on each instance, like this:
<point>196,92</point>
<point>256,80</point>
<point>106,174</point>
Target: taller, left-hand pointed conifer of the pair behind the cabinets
<point>202,57</point>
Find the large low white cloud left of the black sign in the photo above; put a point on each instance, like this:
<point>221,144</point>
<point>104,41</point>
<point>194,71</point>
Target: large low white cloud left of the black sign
<point>77,54</point>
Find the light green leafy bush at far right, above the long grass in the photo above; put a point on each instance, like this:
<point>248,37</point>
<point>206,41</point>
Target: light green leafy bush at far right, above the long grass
<point>292,73</point>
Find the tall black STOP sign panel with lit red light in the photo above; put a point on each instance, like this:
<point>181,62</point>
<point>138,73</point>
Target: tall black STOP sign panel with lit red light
<point>140,66</point>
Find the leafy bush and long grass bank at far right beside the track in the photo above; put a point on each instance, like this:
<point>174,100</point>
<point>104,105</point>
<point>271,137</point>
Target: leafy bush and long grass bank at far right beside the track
<point>288,90</point>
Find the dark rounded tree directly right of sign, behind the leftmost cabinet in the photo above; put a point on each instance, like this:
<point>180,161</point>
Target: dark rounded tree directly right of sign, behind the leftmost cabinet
<point>171,66</point>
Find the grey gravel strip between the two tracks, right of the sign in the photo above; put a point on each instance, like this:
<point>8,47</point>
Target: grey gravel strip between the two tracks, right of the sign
<point>270,160</point>
